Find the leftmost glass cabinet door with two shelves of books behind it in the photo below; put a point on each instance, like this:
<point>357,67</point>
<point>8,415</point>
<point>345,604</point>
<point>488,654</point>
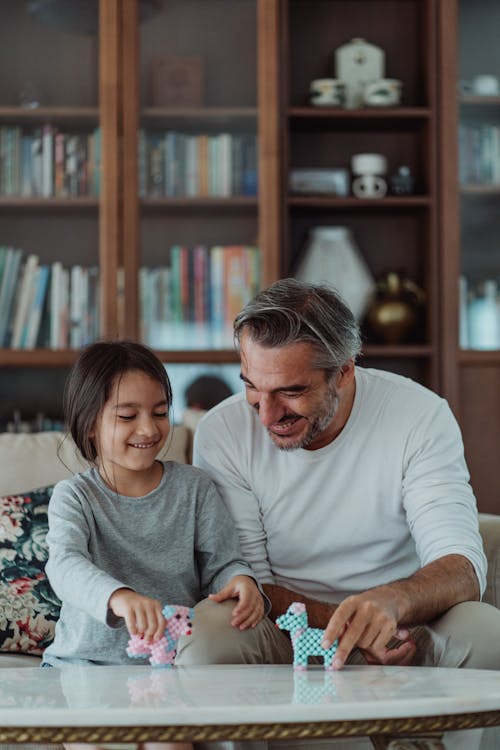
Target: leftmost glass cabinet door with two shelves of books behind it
<point>50,188</point>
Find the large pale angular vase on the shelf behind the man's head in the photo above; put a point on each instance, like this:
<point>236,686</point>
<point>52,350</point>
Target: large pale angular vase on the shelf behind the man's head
<point>332,256</point>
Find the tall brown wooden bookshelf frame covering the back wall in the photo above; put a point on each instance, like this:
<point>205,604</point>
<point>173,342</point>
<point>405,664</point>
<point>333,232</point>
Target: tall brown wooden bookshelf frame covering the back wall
<point>259,83</point>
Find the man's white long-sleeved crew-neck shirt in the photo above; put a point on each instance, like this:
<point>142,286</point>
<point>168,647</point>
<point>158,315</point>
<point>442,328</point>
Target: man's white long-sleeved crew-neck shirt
<point>389,495</point>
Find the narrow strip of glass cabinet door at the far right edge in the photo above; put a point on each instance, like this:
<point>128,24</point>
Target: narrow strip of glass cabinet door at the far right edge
<point>479,174</point>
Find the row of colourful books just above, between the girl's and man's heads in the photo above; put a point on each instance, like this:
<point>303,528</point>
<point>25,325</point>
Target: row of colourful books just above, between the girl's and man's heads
<point>192,300</point>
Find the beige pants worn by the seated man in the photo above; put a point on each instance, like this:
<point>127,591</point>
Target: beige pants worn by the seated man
<point>467,635</point>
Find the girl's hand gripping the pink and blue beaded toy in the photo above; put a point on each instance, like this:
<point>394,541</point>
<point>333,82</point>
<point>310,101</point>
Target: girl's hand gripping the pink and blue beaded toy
<point>143,616</point>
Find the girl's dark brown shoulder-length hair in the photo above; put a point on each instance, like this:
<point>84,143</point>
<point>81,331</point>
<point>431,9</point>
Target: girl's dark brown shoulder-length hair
<point>91,380</point>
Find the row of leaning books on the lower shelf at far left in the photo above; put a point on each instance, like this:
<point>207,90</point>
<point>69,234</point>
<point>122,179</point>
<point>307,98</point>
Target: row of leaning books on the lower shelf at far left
<point>46,305</point>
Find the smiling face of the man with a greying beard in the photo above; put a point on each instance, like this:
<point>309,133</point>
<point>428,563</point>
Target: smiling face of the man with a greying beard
<point>298,405</point>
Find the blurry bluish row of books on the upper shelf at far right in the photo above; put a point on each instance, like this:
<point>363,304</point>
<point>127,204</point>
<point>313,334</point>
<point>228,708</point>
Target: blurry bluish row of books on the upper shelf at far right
<point>479,154</point>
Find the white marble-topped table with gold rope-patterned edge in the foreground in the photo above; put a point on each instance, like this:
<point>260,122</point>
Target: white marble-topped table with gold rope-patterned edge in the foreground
<point>140,703</point>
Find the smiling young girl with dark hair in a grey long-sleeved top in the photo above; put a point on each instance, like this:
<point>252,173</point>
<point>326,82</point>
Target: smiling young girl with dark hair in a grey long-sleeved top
<point>131,534</point>
